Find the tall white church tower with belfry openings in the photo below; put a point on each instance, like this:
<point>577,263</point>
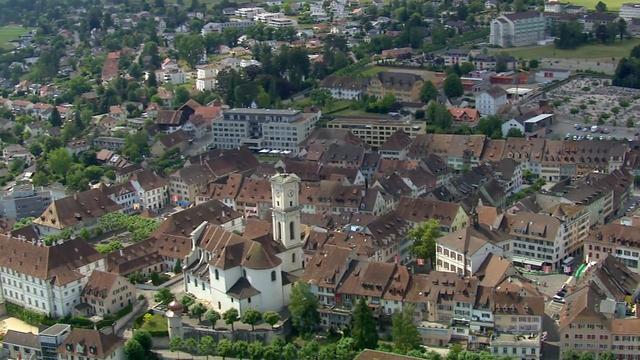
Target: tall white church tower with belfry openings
<point>285,191</point>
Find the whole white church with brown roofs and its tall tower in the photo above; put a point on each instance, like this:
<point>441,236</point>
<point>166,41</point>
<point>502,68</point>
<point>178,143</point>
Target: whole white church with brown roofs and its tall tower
<point>226,270</point>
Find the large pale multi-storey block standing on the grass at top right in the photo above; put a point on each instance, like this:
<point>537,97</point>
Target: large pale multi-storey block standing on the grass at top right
<point>517,29</point>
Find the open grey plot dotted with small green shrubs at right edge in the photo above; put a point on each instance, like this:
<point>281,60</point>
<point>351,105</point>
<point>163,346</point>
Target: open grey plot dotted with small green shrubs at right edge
<point>592,102</point>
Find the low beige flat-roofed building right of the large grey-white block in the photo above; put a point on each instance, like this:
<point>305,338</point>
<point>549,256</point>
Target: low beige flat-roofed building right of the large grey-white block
<point>375,131</point>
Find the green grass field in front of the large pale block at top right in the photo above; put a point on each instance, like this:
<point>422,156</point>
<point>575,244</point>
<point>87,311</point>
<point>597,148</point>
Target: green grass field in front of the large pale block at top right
<point>591,51</point>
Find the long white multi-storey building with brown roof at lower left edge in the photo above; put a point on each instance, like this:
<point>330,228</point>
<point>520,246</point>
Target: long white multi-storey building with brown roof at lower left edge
<point>46,279</point>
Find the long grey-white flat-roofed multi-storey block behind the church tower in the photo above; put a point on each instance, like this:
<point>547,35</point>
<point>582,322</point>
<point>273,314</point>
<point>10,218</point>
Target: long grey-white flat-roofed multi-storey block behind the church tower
<point>258,129</point>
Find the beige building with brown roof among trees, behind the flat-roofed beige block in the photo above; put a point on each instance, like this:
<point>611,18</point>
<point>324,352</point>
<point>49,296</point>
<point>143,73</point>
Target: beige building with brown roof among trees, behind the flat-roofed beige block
<point>404,86</point>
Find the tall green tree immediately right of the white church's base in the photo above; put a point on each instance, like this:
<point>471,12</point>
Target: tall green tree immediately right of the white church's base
<point>303,308</point>
